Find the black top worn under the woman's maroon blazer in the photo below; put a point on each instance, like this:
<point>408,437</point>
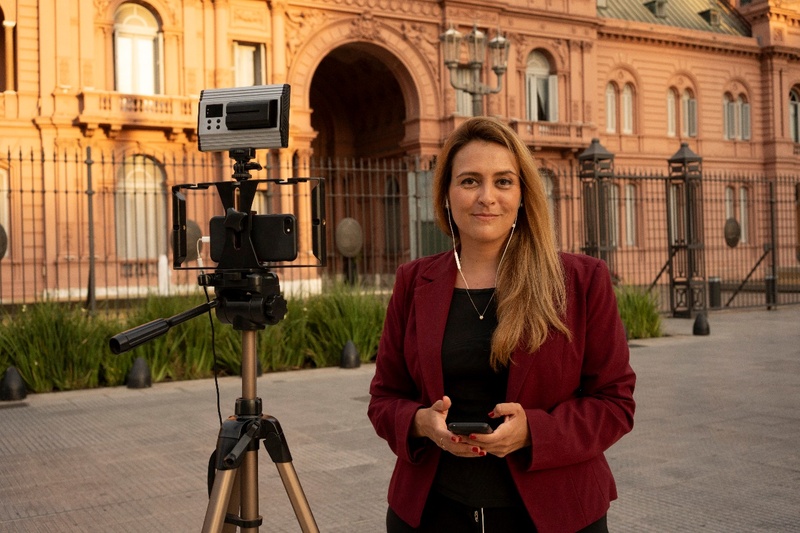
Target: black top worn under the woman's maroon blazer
<point>474,389</point>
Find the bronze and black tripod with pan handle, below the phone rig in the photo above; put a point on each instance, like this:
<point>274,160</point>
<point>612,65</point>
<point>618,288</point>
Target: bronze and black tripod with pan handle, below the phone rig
<point>247,301</point>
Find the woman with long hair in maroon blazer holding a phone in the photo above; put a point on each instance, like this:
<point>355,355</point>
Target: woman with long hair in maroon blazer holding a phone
<point>505,330</point>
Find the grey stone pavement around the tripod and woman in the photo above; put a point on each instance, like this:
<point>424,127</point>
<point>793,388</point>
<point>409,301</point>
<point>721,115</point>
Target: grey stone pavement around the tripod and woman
<point>715,447</point>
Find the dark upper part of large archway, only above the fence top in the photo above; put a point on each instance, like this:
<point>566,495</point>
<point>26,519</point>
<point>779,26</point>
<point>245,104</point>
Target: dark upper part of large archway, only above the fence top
<point>358,105</point>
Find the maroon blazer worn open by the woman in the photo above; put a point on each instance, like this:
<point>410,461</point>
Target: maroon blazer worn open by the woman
<point>578,394</point>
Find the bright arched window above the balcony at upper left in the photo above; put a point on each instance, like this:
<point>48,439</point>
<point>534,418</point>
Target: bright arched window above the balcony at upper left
<point>137,50</point>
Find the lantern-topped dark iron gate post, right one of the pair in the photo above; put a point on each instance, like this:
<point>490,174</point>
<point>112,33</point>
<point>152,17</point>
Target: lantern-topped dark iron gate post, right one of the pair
<point>685,234</point>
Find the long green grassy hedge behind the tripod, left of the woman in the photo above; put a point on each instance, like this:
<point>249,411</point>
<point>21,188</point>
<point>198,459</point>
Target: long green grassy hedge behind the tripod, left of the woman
<point>57,346</point>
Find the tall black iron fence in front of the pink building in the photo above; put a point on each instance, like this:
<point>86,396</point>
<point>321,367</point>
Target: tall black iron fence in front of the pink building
<point>97,228</point>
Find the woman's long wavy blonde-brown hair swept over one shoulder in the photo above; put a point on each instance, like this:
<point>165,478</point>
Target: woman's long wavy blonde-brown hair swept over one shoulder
<point>530,292</point>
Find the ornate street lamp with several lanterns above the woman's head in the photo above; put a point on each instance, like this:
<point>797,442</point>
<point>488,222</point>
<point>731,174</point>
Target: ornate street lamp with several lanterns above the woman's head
<point>476,52</point>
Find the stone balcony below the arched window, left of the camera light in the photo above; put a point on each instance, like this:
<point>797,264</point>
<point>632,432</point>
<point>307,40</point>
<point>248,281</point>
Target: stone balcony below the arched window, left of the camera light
<point>113,111</point>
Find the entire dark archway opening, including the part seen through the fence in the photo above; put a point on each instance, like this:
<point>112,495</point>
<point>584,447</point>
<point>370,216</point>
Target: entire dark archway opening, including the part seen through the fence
<point>359,116</point>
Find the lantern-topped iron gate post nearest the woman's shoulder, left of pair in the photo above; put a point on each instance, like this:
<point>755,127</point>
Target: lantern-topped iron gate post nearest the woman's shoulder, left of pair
<point>596,168</point>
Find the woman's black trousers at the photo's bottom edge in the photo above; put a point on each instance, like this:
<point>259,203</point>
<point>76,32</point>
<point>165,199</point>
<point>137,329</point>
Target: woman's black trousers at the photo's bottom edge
<point>443,515</point>
